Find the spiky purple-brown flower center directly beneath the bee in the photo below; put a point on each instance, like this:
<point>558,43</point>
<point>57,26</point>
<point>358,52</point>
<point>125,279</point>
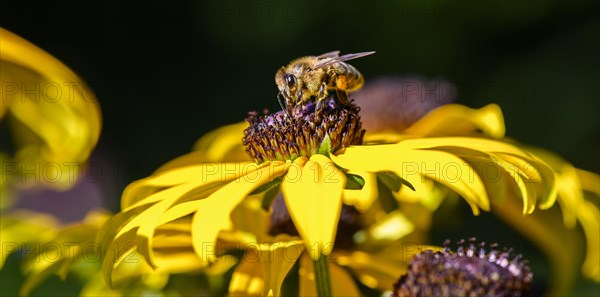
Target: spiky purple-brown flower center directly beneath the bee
<point>281,137</point>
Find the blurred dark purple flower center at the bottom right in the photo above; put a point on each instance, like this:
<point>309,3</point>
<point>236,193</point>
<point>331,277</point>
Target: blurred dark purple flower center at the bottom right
<point>471,271</point>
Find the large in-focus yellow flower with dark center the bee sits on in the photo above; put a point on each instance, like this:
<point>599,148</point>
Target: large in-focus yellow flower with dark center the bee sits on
<point>317,171</point>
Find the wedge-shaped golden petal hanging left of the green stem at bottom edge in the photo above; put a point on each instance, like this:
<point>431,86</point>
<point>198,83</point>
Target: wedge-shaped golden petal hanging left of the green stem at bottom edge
<point>277,259</point>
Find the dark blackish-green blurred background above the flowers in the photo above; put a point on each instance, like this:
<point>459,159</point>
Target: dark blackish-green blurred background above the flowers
<point>167,73</point>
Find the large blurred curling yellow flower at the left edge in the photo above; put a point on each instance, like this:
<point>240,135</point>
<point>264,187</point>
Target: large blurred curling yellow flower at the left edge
<point>54,115</point>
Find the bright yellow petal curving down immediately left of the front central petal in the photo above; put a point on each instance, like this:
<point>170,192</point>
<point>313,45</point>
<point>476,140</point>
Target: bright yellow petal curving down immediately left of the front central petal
<point>213,213</point>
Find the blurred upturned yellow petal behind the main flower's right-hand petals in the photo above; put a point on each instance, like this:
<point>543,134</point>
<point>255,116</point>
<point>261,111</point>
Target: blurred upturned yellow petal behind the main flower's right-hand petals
<point>456,120</point>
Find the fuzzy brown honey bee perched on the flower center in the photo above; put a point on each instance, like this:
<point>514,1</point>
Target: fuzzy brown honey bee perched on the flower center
<point>314,76</point>
